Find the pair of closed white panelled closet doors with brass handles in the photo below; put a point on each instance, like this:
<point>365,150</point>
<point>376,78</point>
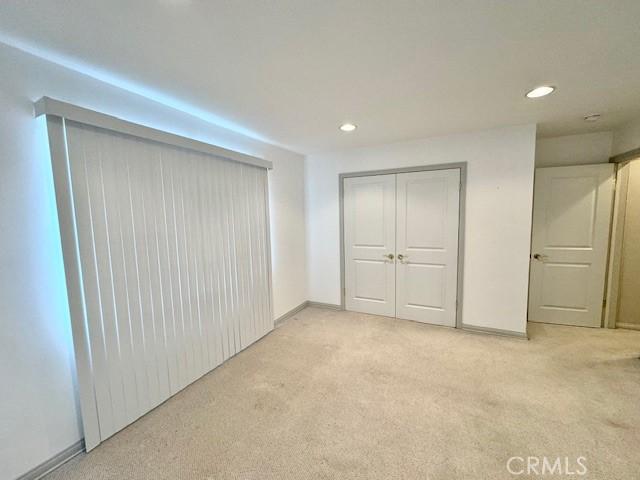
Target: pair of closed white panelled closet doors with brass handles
<point>401,245</point>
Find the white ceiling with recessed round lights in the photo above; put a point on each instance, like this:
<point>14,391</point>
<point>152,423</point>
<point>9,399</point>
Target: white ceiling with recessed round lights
<point>294,70</point>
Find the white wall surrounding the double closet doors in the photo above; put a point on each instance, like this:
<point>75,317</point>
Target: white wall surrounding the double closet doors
<point>498,216</point>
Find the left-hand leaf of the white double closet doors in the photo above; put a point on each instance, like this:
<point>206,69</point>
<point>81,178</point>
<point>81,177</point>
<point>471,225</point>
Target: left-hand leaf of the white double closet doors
<point>369,240</point>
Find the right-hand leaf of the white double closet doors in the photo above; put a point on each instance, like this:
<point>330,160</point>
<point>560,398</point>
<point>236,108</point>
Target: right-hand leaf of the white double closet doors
<point>428,206</point>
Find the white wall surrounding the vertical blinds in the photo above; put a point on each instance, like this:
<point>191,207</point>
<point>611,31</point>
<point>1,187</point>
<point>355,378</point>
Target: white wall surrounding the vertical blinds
<point>38,405</point>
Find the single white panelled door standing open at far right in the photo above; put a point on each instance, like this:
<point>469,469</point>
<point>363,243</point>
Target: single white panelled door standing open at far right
<point>571,216</point>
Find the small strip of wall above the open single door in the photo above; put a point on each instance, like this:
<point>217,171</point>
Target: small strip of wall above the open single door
<point>574,149</point>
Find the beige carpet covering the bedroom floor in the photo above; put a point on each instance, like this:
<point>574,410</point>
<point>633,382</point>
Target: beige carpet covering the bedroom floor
<point>332,395</point>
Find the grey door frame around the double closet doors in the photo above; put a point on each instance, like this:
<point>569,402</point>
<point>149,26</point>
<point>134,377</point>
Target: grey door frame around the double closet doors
<point>462,166</point>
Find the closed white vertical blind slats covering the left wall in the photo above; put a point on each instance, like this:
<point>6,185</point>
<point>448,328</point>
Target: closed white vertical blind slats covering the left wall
<point>173,251</point>
